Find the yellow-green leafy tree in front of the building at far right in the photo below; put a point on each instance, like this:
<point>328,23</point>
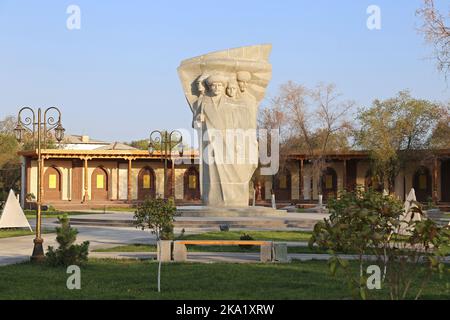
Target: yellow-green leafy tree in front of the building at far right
<point>394,129</point>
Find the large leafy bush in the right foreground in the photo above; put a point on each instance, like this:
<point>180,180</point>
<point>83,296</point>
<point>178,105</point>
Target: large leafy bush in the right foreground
<point>368,222</point>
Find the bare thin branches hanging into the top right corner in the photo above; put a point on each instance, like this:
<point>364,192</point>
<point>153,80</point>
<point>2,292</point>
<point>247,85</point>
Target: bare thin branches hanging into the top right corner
<point>437,32</point>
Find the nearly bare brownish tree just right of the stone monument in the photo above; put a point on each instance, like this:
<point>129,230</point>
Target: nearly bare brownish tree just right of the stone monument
<point>315,120</point>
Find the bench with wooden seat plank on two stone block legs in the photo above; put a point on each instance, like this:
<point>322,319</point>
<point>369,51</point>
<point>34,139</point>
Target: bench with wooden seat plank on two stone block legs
<point>180,250</point>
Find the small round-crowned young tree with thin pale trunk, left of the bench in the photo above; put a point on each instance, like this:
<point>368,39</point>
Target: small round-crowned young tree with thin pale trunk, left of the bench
<point>157,215</point>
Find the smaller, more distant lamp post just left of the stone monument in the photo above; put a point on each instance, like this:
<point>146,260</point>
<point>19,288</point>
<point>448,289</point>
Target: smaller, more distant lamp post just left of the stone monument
<point>166,142</point>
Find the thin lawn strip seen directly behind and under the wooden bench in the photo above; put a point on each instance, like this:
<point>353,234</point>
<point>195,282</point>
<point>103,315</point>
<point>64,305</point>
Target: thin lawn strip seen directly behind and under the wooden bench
<point>152,248</point>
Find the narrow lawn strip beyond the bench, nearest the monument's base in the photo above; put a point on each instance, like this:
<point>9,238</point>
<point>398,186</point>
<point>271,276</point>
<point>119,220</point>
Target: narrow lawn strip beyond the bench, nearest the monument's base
<point>257,235</point>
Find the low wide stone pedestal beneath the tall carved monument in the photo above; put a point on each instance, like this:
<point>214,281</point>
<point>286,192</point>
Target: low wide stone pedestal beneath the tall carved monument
<point>204,211</point>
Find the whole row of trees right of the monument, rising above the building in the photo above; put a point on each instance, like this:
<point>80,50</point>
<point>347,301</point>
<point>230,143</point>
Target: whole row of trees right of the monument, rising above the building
<point>317,121</point>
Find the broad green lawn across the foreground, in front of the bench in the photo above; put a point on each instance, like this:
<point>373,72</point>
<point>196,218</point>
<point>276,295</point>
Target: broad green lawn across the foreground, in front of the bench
<point>110,279</point>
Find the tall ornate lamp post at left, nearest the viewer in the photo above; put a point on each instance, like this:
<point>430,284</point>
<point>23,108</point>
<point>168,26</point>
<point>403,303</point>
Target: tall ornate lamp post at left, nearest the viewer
<point>39,128</point>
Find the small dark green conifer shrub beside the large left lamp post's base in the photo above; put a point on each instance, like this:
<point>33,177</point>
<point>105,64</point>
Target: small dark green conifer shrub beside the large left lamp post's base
<point>68,253</point>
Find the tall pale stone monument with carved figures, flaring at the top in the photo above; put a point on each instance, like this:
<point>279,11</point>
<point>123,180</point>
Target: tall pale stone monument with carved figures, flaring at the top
<point>224,90</point>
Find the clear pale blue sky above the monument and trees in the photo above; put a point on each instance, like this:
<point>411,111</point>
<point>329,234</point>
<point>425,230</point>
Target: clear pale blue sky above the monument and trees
<point>116,78</point>
